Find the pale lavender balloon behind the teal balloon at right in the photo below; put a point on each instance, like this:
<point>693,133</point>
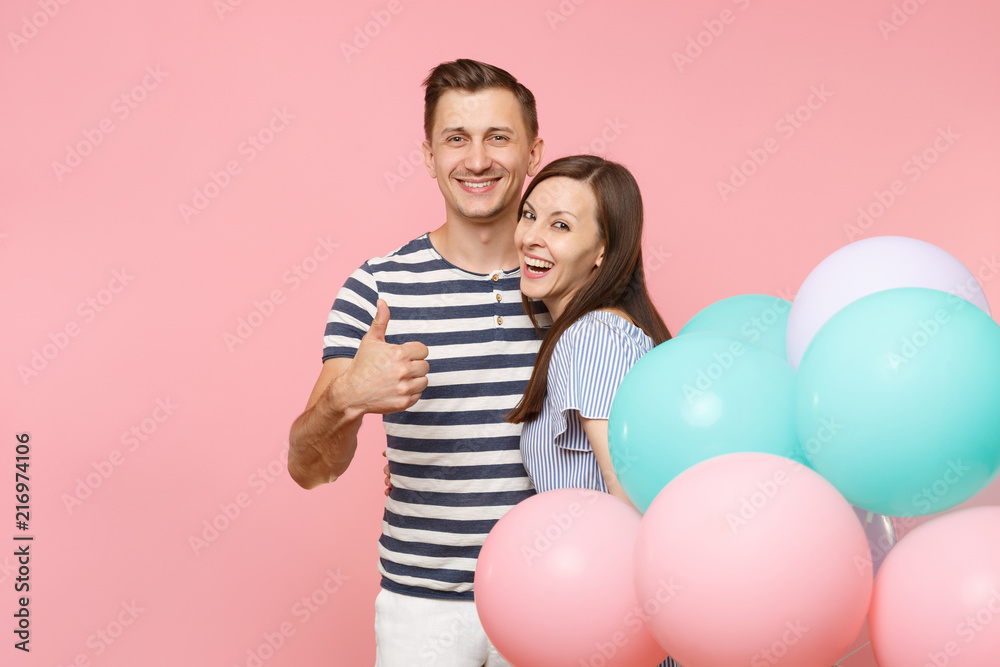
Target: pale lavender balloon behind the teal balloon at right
<point>868,266</point>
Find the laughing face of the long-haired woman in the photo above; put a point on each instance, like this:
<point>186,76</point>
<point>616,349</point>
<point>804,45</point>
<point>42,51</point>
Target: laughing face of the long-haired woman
<point>558,241</point>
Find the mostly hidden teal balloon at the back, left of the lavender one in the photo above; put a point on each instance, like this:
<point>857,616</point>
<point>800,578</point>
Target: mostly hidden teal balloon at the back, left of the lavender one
<point>759,318</point>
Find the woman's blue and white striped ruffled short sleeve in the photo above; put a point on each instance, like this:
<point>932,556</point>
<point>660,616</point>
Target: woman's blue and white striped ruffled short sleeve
<point>588,363</point>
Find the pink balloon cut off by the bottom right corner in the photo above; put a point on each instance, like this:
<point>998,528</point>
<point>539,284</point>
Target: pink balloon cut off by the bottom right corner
<point>937,597</point>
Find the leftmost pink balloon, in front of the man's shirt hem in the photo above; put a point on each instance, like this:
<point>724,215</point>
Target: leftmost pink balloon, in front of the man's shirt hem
<point>554,583</point>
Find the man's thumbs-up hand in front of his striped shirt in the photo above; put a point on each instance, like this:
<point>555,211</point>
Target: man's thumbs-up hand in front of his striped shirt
<point>386,378</point>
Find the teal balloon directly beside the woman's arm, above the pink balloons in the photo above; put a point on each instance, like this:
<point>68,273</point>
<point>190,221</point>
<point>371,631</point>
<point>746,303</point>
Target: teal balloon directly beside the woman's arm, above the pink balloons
<point>695,397</point>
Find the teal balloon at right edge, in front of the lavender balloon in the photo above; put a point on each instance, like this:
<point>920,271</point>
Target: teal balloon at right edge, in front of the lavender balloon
<point>898,401</point>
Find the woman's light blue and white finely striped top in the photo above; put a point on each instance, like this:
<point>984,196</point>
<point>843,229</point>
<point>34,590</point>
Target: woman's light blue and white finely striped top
<point>588,363</point>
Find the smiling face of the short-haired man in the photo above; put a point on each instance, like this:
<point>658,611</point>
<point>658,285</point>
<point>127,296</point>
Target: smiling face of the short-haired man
<point>480,152</point>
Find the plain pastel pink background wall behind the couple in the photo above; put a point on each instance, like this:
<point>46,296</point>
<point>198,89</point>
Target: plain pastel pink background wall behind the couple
<point>607,68</point>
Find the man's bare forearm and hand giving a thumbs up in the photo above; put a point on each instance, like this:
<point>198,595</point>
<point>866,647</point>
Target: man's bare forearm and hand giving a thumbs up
<point>381,378</point>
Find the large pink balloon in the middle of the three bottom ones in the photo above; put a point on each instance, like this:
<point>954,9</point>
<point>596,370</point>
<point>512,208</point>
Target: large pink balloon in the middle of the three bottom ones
<point>767,563</point>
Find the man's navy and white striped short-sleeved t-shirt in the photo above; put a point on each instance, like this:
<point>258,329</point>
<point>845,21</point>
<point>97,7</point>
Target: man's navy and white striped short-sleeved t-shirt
<point>454,463</point>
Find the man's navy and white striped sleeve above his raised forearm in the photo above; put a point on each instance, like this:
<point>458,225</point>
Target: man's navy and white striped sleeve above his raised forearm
<point>351,315</point>
